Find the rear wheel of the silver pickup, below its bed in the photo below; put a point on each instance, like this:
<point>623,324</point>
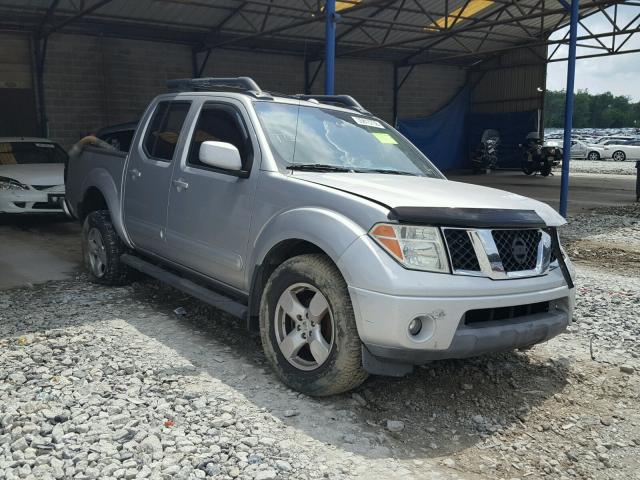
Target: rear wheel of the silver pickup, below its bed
<point>101,251</point>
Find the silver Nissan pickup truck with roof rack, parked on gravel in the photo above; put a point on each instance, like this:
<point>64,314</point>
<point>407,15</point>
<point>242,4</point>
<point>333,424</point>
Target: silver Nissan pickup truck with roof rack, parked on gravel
<point>324,229</point>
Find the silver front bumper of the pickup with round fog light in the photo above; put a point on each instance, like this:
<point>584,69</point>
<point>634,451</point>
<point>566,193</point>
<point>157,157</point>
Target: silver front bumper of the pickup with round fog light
<point>383,322</point>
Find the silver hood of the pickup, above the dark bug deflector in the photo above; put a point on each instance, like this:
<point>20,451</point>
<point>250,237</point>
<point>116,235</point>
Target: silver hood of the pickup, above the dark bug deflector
<point>405,191</point>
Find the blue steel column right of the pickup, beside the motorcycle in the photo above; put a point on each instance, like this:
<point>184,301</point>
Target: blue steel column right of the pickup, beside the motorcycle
<point>568,109</point>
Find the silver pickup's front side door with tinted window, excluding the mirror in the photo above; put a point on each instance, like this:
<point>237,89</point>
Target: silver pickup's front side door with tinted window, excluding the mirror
<point>210,209</point>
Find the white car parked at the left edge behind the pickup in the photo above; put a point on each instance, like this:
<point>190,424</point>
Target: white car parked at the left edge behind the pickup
<point>31,175</point>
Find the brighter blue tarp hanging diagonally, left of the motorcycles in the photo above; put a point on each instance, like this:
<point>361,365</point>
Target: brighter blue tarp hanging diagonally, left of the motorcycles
<point>441,136</point>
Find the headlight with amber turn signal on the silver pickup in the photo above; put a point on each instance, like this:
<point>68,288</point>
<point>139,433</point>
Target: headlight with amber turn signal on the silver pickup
<point>415,247</point>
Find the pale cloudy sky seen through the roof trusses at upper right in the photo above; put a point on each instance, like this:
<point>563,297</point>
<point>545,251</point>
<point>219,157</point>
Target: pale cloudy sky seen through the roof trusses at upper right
<point>619,74</point>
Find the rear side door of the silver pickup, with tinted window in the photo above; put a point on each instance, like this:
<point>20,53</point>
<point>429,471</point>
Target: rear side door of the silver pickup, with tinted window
<point>148,175</point>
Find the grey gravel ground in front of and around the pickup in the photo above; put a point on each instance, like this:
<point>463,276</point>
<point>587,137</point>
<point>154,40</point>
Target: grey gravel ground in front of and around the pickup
<point>102,382</point>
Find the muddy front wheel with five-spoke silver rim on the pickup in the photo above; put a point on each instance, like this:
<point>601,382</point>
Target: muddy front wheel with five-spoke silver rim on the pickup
<point>308,327</point>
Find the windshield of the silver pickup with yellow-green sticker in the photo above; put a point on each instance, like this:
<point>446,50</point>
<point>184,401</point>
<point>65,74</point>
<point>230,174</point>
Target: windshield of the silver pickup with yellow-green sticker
<point>304,136</point>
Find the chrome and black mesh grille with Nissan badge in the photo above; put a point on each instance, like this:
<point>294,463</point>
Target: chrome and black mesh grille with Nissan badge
<point>498,254</point>
